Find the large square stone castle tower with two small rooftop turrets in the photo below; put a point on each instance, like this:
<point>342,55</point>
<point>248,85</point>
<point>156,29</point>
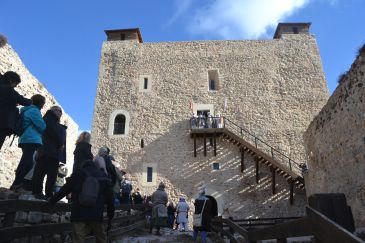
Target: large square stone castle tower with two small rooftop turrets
<point>267,90</point>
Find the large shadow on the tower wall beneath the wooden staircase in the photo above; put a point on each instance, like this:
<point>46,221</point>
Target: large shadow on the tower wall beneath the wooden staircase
<point>184,174</point>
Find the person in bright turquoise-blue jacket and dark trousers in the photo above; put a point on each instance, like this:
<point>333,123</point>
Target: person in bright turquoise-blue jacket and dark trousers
<point>33,127</point>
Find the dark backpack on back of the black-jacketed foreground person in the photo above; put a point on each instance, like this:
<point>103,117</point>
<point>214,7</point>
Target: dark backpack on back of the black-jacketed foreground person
<point>89,191</point>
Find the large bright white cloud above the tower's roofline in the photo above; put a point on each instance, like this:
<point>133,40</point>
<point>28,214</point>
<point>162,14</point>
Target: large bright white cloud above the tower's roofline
<point>232,19</point>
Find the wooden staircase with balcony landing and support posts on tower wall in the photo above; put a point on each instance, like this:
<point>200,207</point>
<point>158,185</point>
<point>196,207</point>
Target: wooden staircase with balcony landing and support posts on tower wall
<point>263,154</point>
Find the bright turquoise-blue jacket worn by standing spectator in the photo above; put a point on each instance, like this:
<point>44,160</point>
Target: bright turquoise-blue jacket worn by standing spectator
<point>33,125</point>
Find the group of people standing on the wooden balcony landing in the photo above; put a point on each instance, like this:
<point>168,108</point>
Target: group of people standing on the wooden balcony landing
<point>207,120</point>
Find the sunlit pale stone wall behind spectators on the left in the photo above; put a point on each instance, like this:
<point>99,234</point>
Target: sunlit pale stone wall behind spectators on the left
<point>10,155</point>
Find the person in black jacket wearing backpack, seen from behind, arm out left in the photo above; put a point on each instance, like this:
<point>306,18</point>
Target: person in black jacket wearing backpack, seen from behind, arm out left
<point>90,218</point>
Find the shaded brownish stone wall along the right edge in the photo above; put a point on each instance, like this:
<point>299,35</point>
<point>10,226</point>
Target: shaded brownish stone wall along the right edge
<point>335,142</point>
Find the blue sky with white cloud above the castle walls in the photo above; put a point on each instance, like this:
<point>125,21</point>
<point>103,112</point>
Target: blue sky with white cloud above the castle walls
<point>60,41</point>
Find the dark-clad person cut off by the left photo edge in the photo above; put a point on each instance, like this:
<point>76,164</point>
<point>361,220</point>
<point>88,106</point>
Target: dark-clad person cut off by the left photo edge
<point>9,99</point>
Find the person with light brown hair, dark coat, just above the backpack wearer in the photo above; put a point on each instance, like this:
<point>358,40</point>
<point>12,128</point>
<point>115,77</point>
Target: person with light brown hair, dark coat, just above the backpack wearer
<point>82,151</point>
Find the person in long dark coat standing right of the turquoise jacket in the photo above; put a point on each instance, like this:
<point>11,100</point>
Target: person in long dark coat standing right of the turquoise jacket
<point>49,154</point>
